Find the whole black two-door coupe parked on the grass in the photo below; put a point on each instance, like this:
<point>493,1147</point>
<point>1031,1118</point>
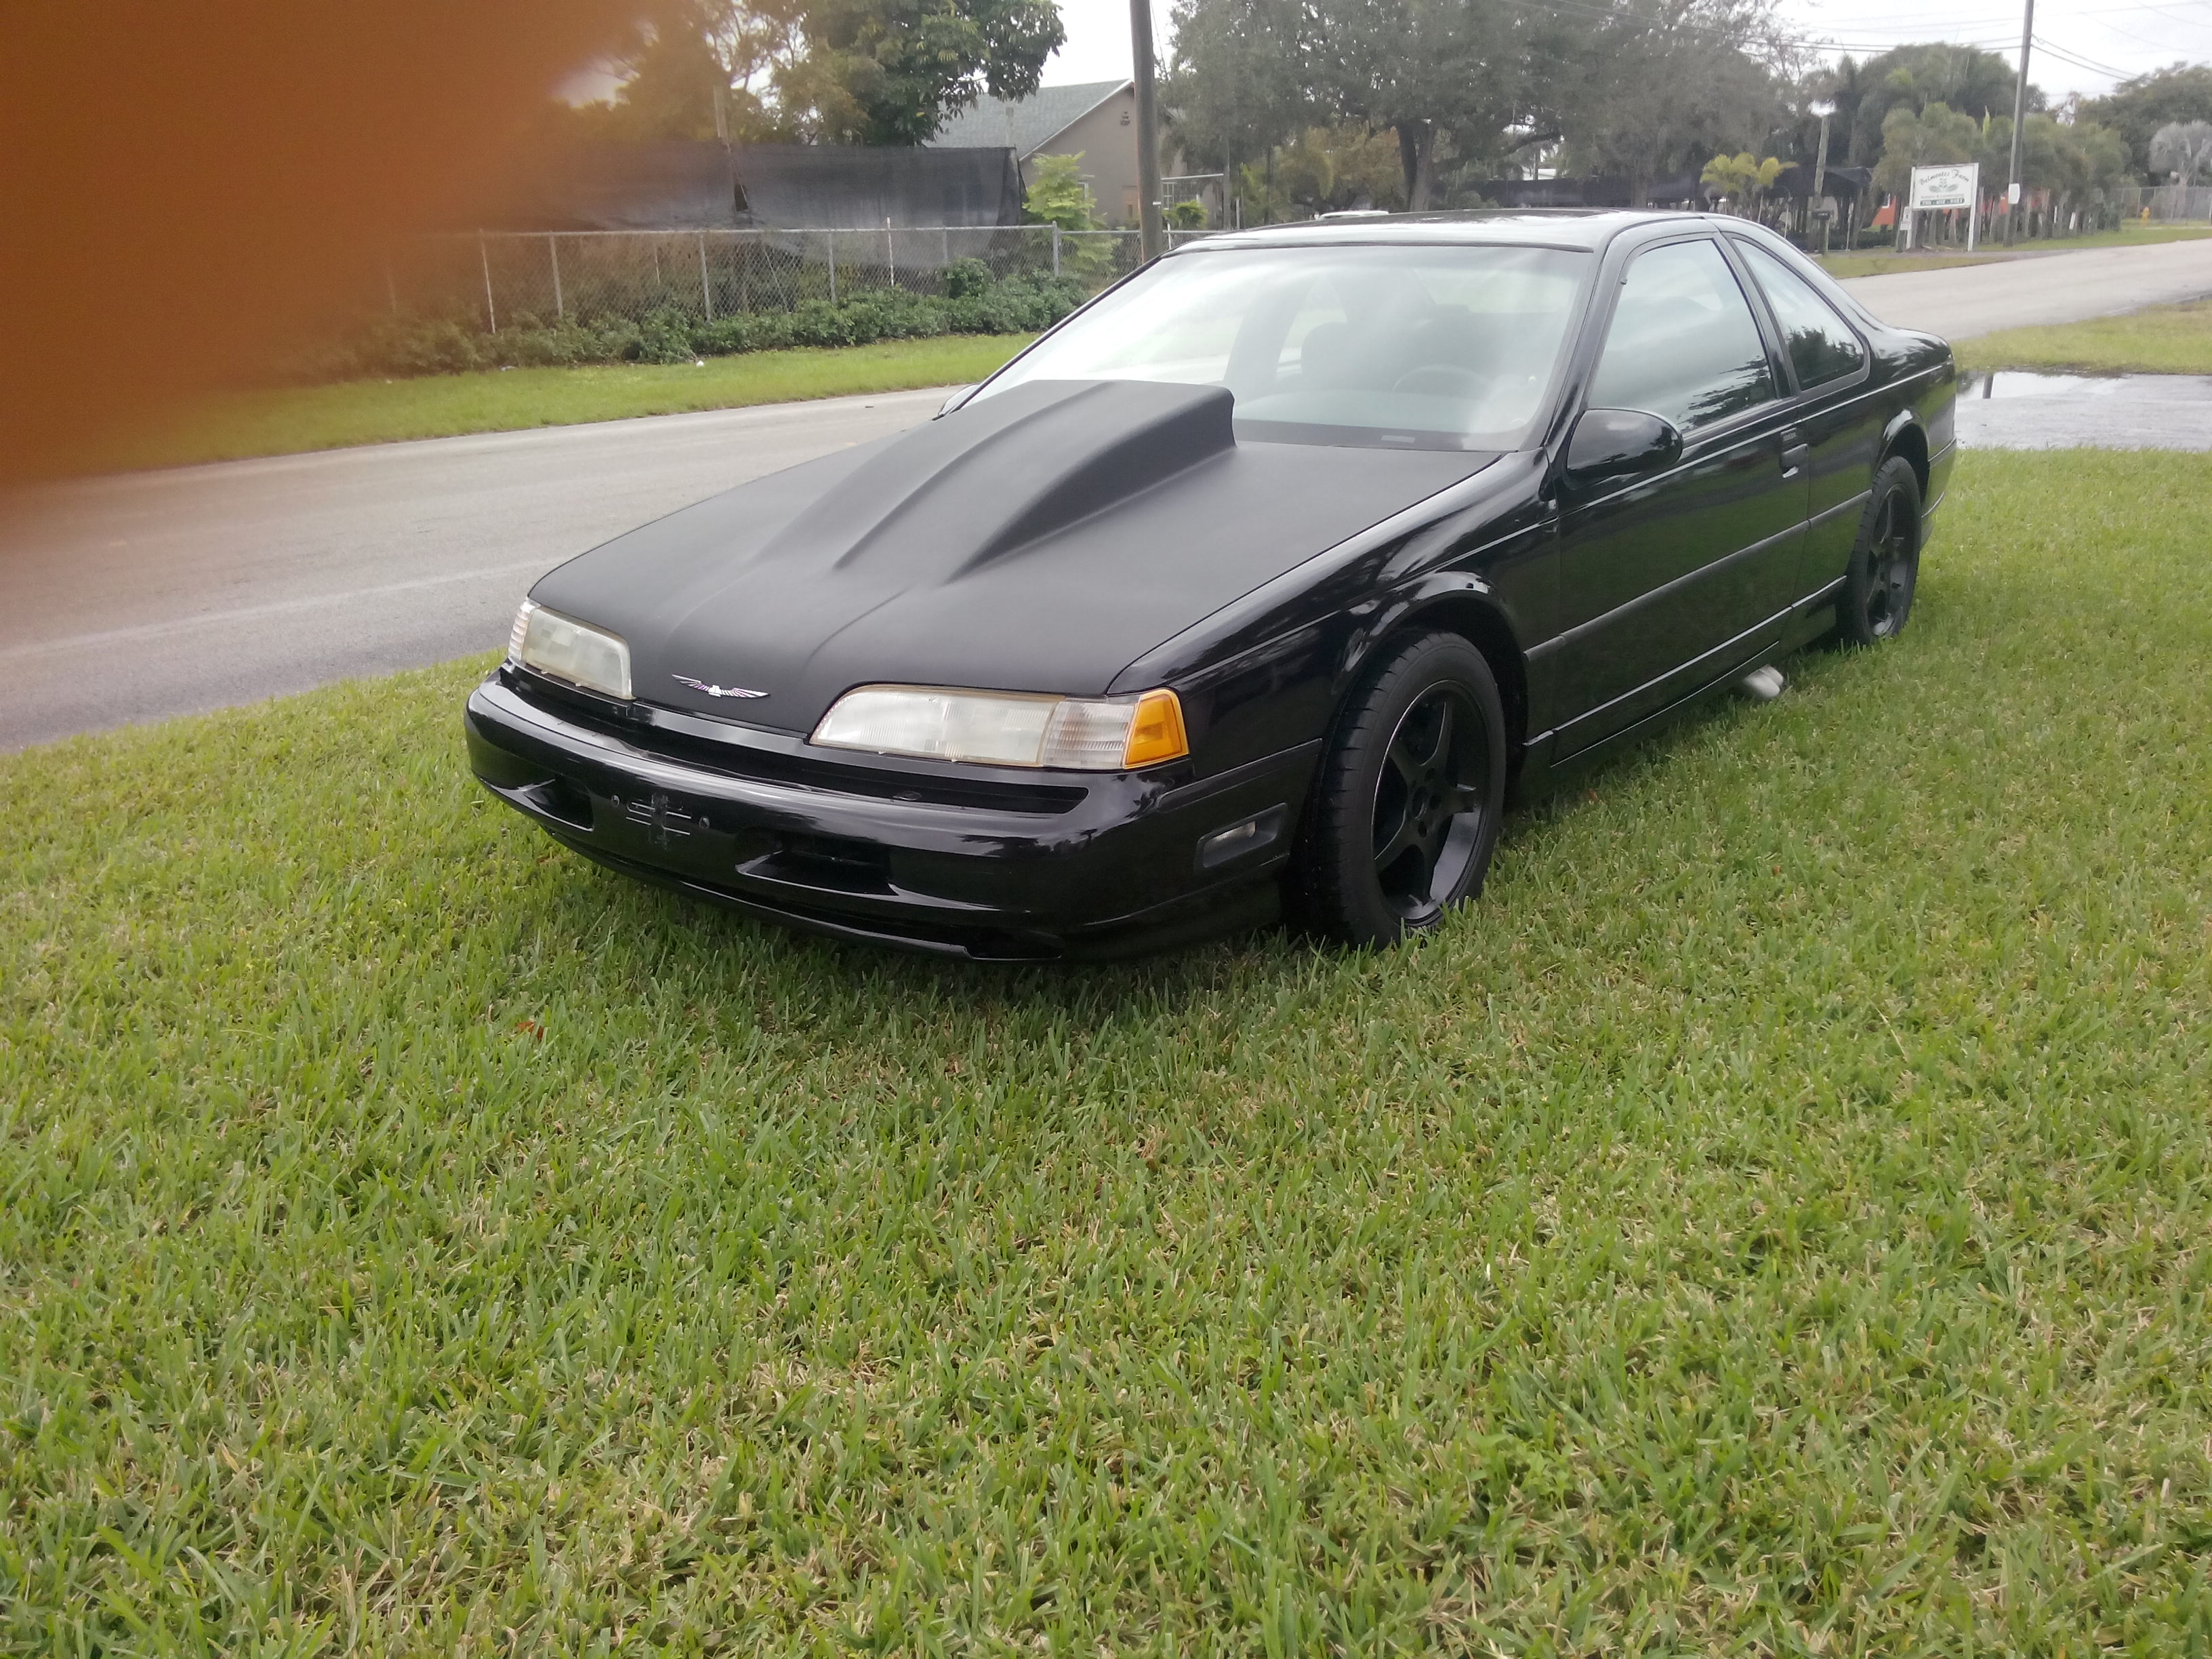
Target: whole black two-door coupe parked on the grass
<point>1258,583</point>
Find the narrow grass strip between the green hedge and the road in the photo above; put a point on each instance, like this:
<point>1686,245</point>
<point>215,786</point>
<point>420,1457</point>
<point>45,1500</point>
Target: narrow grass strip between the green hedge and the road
<point>282,421</point>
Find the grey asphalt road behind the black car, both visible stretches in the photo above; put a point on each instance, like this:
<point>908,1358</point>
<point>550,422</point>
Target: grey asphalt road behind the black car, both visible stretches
<point>165,594</point>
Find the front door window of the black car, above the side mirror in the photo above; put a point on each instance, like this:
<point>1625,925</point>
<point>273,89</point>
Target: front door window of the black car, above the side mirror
<point>1682,342</point>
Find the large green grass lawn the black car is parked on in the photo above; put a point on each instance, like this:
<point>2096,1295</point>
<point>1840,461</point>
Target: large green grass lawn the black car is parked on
<point>1773,1222</point>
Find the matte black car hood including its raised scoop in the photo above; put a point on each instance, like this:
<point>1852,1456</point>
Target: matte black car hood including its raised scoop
<point>1034,541</point>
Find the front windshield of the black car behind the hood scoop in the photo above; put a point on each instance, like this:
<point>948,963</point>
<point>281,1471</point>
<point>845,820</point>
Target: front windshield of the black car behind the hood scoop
<point>1412,348</point>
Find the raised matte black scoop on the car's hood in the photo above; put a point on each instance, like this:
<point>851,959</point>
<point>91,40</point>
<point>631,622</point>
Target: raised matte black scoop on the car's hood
<point>1012,472</point>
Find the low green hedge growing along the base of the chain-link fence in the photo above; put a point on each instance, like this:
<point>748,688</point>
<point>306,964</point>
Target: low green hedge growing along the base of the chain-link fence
<point>408,346</point>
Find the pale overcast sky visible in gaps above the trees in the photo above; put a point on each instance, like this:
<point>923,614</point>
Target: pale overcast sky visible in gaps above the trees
<point>2105,39</point>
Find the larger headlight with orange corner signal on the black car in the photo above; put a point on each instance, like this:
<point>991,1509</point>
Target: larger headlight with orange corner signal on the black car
<point>1008,729</point>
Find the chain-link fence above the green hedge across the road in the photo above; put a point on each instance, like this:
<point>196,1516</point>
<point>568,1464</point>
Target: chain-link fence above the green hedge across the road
<point>499,280</point>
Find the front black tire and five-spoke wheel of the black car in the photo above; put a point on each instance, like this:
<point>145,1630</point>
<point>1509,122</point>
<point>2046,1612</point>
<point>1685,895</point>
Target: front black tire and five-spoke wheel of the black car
<point>1410,795</point>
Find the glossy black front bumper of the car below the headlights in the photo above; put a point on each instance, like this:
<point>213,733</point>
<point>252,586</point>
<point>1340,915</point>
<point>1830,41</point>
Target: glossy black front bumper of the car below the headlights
<point>968,862</point>
